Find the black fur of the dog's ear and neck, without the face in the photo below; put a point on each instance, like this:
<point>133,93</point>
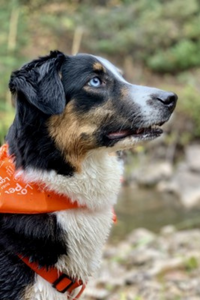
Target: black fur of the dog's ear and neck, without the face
<point>40,94</point>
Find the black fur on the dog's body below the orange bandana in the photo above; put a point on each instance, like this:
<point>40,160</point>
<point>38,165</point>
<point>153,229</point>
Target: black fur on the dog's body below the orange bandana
<point>38,237</point>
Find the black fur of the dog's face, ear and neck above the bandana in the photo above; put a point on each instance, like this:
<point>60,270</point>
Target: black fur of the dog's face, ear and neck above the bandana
<point>40,93</point>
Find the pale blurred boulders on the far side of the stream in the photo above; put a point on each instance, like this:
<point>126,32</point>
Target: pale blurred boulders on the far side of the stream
<point>181,180</point>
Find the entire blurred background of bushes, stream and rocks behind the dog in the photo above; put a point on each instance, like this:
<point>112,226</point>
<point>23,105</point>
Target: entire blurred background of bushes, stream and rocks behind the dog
<point>156,43</point>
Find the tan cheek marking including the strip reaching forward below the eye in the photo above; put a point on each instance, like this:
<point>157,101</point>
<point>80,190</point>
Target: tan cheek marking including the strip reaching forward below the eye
<point>74,133</point>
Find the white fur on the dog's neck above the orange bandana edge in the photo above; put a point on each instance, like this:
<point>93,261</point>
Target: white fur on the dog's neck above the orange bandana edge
<point>95,187</point>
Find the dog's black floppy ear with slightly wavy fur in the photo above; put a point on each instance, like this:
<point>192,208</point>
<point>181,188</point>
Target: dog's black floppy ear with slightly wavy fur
<point>40,83</point>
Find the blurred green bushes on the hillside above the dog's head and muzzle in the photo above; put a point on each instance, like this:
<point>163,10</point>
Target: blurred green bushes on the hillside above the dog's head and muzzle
<point>163,35</point>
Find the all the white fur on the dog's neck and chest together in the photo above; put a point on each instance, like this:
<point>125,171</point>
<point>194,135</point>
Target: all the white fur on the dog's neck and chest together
<point>87,229</point>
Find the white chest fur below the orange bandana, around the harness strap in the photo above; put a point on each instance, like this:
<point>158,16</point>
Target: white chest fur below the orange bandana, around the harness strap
<point>86,232</point>
